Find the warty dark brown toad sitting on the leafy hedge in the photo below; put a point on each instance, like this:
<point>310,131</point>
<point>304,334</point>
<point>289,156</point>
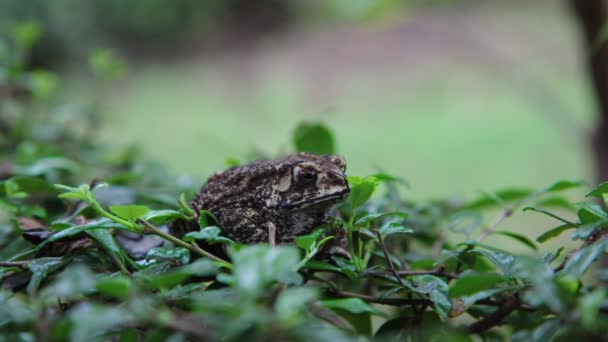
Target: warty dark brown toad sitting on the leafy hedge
<point>274,200</point>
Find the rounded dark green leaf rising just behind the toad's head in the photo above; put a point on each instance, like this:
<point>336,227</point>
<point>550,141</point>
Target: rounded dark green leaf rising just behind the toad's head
<point>314,137</point>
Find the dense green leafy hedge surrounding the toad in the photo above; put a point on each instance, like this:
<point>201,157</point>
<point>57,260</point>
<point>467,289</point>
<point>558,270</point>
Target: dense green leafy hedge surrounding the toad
<point>65,197</point>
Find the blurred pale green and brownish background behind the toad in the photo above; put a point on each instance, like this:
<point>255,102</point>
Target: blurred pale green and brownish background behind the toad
<point>454,96</point>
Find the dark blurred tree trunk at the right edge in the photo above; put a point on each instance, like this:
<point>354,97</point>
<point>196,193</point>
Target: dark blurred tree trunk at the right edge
<point>592,16</point>
